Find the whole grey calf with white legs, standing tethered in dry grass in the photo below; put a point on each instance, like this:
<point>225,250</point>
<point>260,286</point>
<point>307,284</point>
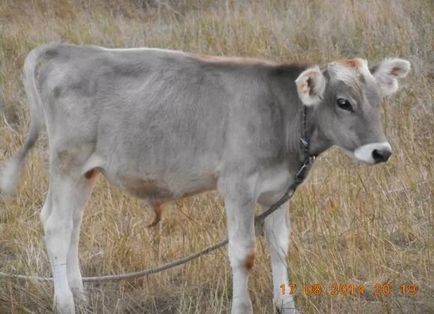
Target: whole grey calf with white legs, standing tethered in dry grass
<point>165,124</point>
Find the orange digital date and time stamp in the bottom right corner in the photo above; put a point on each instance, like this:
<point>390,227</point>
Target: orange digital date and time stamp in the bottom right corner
<point>347,289</point>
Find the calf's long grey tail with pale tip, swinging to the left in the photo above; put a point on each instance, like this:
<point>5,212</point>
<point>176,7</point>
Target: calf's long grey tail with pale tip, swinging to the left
<point>11,170</point>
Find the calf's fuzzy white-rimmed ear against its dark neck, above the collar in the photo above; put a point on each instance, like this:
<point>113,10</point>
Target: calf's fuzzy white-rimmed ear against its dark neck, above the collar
<point>310,86</point>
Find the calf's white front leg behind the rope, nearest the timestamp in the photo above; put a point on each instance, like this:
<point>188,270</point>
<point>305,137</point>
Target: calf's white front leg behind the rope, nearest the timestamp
<point>277,233</point>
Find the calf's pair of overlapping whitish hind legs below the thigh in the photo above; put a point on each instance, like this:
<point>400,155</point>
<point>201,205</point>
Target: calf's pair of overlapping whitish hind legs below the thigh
<point>61,218</point>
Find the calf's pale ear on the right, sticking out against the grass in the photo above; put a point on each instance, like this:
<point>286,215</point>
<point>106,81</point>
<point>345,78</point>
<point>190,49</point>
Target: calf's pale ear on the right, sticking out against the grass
<point>387,73</point>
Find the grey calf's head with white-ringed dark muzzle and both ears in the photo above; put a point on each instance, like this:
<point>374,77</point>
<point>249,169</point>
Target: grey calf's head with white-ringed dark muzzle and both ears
<point>346,97</point>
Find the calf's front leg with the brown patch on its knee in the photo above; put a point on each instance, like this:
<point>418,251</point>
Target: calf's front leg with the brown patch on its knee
<point>240,206</point>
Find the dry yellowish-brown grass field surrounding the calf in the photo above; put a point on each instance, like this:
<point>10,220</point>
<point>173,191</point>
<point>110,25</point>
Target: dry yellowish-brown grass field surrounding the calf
<point>351,223</point>
